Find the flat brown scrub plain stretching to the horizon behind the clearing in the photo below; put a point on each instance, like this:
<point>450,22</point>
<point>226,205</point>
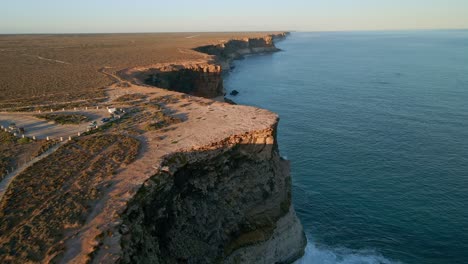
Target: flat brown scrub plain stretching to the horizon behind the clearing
<point>41,69</point>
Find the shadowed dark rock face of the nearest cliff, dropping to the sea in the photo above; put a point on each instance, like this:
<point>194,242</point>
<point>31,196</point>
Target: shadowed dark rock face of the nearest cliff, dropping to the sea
<point>227,203</point>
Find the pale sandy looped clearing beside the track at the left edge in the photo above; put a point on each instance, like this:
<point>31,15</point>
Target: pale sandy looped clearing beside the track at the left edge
<point>41,129</point>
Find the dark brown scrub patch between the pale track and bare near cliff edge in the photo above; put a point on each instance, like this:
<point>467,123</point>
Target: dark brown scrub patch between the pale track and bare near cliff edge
<point>55,195</point>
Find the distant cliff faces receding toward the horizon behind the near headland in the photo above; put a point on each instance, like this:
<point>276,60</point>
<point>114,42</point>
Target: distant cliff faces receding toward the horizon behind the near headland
<point>201,78</point>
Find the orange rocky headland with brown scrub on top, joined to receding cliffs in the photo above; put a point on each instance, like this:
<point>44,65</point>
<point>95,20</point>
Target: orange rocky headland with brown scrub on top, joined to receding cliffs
<point>207,185</point>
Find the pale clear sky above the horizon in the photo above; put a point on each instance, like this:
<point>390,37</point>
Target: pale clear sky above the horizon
<point>64,16</point>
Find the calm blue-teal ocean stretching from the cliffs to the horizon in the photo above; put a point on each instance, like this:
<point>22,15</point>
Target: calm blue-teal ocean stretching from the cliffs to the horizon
<point>375,125</point>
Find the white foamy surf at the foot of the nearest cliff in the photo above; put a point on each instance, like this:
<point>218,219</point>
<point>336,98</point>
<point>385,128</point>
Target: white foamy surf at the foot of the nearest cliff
<point>324,255</point>
